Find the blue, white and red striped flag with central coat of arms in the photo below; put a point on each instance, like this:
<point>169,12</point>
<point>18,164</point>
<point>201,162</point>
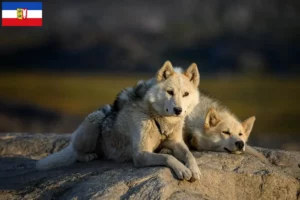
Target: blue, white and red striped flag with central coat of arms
<point>22,14</point>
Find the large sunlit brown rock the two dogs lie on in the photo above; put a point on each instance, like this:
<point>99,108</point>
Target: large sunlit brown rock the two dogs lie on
<point>224,176</point>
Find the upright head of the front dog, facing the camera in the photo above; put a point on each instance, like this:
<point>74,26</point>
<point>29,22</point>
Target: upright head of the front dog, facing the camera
<point>175,92</point>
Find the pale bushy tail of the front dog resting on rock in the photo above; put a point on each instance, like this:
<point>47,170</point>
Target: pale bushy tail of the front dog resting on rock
<point>65,157</point>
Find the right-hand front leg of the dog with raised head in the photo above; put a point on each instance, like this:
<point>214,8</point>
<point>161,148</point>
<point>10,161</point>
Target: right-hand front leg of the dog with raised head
<point>181,152</point>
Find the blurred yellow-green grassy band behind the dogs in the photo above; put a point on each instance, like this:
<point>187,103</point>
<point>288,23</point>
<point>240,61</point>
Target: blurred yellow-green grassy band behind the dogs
<point>275,102</point>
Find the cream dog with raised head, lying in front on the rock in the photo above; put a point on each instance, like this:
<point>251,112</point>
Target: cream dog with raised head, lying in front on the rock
<point>138,124</point>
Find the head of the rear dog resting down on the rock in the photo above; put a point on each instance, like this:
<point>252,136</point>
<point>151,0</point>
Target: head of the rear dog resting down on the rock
<point>226,131</point>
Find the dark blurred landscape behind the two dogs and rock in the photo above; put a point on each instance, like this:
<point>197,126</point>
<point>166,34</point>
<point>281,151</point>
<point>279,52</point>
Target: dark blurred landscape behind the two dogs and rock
<point>87,51</point>
